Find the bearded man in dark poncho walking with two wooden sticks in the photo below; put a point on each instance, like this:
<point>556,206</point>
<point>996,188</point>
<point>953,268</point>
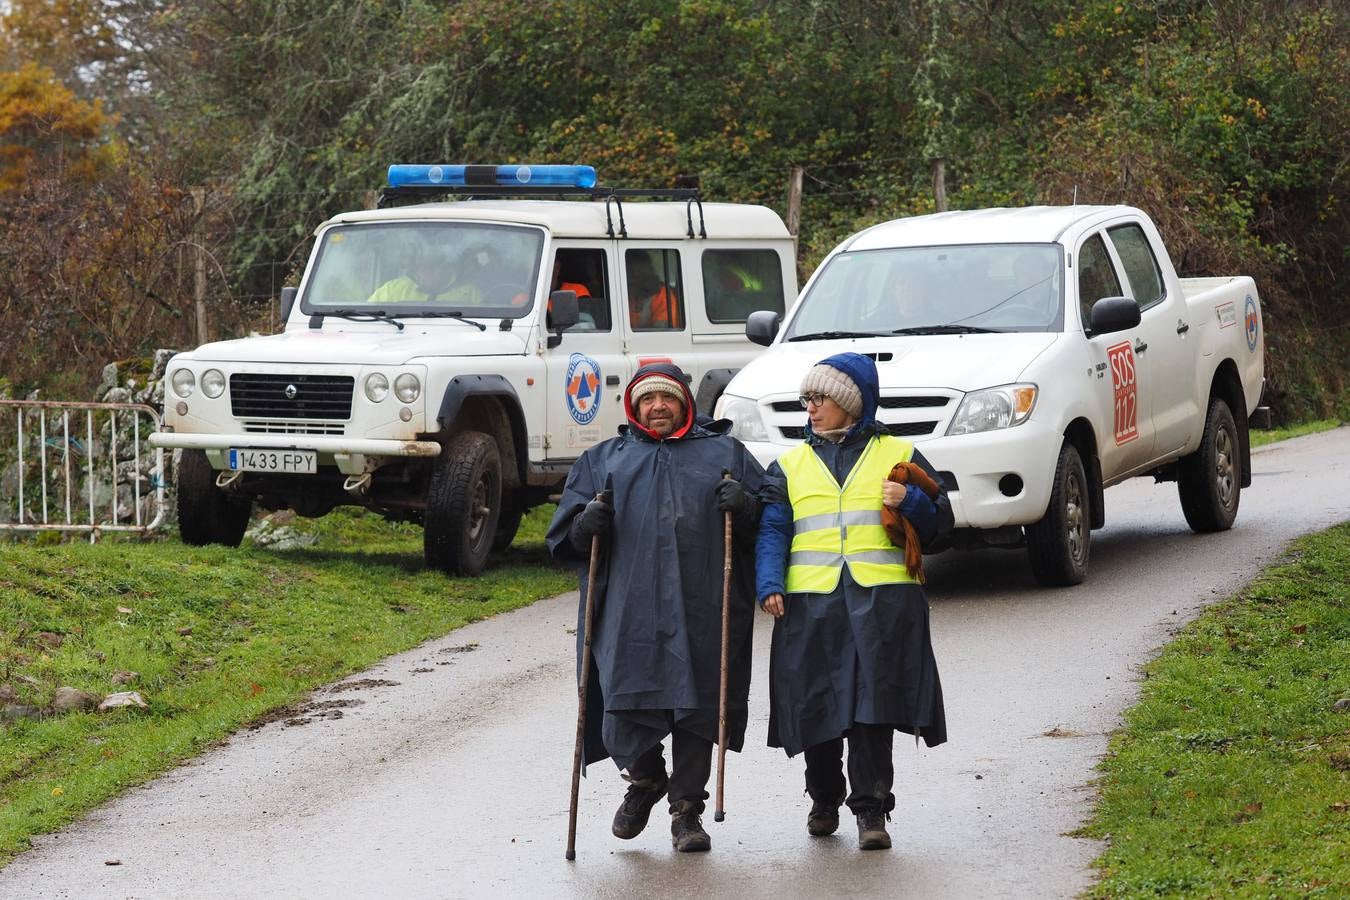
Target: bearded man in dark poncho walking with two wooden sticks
<point>658,621</point>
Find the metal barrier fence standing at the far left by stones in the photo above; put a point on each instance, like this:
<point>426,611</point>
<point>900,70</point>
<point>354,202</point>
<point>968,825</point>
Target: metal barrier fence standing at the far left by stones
<point>80,468</point>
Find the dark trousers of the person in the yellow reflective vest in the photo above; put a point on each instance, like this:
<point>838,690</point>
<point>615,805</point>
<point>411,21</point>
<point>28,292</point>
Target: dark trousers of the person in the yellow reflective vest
<point>870,770</point>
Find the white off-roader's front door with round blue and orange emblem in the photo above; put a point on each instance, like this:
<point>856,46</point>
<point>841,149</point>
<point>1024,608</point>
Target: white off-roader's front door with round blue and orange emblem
<point>587,372</point>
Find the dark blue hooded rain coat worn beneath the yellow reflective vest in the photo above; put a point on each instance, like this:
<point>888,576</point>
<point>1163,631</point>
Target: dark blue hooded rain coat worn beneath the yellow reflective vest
<point>859,654</point>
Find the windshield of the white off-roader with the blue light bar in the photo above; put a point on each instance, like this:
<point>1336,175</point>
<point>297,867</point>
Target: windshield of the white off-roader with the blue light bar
<point>426,268</point>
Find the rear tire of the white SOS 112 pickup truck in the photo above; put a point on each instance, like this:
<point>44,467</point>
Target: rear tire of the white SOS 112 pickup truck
<point>1210,480</point>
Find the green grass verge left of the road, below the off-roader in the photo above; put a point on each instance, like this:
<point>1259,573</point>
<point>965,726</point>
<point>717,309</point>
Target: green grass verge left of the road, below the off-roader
<point>219,639</point>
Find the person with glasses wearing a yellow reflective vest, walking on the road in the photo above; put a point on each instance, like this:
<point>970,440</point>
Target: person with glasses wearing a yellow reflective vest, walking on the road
<point>851,656</point>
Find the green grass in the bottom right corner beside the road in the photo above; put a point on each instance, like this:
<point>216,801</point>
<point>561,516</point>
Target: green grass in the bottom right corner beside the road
<point>1232,777</point>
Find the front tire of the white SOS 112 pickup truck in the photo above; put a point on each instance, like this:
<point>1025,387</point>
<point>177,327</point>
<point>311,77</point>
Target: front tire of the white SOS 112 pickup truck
<point>1059,544</point>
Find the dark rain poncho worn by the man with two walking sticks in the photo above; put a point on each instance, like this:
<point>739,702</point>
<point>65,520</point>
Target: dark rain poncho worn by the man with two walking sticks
<point>658,623</point>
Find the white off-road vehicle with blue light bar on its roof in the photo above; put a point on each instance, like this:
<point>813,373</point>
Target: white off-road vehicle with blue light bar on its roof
<point>448,362</point>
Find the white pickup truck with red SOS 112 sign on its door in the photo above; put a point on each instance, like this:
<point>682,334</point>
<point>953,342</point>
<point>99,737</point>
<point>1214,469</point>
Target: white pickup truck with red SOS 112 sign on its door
<point>1036,357</point>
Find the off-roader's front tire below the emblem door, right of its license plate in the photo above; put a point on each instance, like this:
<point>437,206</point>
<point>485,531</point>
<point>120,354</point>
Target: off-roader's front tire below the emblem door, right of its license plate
<point>464,504</point>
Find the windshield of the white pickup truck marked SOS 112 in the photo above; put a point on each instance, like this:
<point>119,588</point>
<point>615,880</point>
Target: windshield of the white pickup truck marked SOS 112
<point>970,288</point>
